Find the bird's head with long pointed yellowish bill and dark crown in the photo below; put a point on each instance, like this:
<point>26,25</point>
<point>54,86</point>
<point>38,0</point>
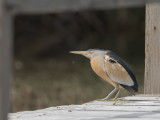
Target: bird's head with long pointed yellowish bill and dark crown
<point>88,53</point>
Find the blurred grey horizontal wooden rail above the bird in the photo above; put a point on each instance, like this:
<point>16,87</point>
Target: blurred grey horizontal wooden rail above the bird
<point>54,6</point>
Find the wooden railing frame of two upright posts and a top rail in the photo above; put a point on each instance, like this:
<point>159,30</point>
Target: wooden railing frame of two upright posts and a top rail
<point>10,8</point>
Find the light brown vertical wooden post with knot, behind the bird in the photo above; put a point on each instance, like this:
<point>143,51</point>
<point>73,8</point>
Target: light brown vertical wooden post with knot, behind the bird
<point>152,50</point>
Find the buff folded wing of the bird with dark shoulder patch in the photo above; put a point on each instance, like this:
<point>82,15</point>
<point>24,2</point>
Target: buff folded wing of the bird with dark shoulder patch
<point>116,72</point>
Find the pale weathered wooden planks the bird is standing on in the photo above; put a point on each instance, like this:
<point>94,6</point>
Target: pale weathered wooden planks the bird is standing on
<point>144,107</point>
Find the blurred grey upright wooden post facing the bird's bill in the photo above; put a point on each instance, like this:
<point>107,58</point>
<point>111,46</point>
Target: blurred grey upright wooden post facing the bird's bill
<point>5,59</point>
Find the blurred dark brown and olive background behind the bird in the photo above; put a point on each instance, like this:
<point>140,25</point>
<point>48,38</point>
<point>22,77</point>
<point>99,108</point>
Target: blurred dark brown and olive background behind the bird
<point>46,74</point>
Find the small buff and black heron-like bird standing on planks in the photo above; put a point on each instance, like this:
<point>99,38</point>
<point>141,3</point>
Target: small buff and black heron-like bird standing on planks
<point>113,69</point>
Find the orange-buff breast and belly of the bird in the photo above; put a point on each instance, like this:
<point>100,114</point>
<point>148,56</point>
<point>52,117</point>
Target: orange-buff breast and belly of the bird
<point>98,67</point>
